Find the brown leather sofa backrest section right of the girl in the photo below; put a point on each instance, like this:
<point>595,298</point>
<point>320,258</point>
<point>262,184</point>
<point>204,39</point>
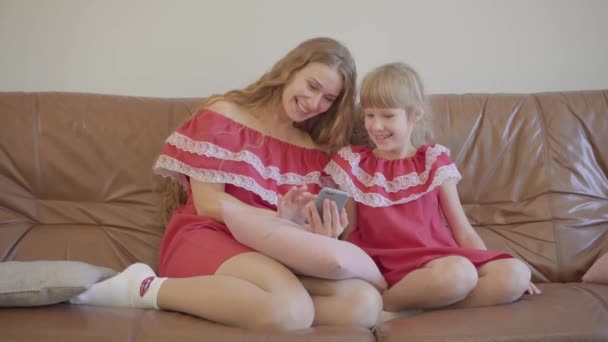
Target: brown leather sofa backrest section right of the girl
<point>534,174</point>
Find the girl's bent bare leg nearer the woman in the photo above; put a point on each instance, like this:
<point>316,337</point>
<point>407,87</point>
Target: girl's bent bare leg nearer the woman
<point>438,283</point>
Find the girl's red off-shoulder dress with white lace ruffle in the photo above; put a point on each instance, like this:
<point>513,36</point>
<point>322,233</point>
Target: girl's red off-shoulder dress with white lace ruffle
<point>399,220</point>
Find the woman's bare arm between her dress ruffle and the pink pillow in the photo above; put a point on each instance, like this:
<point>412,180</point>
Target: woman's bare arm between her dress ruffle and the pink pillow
<point>208,198</point>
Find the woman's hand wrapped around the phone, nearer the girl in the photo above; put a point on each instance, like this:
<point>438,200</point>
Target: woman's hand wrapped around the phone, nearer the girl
<point>333,223</point>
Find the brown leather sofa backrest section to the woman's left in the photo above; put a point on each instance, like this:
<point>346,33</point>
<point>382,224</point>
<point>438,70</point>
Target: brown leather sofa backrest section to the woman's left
<point>75,174</point>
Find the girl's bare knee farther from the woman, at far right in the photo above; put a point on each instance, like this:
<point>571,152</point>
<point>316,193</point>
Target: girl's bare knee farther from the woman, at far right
<point>511,278</point>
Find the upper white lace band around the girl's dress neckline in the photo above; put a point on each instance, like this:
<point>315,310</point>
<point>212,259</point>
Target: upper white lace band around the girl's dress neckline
<point>398,183</point>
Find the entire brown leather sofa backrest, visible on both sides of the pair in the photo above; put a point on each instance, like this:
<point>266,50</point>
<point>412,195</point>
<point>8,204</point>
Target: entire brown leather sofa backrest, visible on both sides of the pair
<point>76,180</point>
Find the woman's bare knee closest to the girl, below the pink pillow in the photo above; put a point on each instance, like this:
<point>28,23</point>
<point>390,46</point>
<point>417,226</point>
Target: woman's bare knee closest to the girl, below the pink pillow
<point>364,304</point>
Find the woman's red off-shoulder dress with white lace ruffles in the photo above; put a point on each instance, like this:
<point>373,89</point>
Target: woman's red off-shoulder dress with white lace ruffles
<point>254,168</point>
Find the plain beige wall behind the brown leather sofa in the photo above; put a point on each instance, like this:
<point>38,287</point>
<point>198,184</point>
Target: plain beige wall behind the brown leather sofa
<point>186,48</point>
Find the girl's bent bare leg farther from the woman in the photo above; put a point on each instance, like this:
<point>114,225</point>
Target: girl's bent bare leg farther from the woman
<point>500,281</point>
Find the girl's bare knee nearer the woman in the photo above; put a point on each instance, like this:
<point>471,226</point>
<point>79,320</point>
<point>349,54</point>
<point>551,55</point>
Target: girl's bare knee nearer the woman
<point>455,278</point>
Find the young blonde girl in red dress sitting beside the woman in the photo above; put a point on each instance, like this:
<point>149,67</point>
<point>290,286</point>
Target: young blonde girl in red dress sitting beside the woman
<point>402,189</point>
